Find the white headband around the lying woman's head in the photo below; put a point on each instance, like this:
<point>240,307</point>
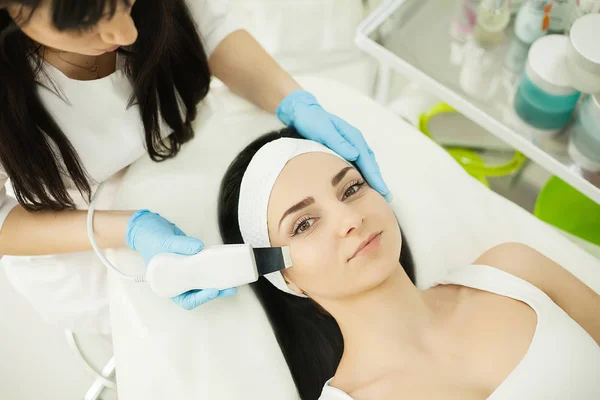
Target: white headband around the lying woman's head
<point>256,187</point>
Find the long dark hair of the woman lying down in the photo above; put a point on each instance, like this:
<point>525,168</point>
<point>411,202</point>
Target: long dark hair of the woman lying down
<point>309,337</point>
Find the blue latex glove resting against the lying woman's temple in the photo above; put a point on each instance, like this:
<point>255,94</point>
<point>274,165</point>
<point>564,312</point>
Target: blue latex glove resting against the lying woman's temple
<point>301,110</point>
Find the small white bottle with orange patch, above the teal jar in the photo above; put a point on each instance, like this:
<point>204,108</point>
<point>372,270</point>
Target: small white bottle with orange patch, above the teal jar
<point>533,20</point>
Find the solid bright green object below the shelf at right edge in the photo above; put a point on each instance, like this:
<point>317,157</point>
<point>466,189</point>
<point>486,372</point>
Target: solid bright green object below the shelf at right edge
<point>559,205</point>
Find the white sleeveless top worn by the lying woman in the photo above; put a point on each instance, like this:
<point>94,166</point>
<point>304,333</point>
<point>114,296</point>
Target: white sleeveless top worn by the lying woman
<point>563,361</point>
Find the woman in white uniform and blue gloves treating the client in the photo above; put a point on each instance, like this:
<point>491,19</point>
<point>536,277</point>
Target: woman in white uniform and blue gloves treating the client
<point>89,86</point>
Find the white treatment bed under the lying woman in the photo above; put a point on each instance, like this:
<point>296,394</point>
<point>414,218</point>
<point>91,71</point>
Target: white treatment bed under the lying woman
<point>225,349</point>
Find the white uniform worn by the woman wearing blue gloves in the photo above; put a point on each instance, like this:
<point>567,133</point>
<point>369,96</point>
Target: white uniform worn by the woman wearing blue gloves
<point>70,290</point>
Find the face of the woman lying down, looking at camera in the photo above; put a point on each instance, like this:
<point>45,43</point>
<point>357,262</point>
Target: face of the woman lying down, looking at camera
<point>344,238</point>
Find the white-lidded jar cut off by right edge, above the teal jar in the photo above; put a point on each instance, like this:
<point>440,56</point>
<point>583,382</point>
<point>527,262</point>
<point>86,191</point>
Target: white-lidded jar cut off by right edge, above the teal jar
<point>583,59</point>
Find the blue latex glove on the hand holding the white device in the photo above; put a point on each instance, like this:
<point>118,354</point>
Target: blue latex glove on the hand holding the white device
<point>150,234</point>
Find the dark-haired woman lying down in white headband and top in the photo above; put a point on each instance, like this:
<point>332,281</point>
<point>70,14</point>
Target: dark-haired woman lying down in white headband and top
<point>514,325</point>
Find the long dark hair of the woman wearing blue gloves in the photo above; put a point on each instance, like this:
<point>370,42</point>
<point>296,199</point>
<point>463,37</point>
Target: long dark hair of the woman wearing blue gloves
<point>167,59</point>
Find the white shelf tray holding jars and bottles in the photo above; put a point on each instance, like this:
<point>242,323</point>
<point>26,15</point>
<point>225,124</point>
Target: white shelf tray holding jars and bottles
<point>413,38</point>
